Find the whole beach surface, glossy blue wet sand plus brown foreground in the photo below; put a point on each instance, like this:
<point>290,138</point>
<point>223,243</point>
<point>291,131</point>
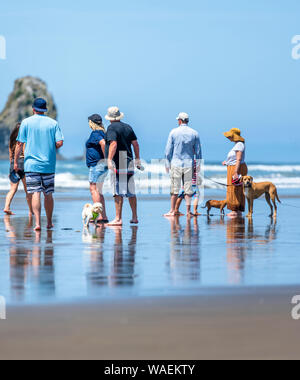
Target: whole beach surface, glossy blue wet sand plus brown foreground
<point>167,289</point>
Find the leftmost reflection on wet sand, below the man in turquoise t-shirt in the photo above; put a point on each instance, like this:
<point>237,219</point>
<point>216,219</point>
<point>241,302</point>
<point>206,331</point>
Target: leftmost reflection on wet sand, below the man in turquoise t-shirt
<point>31,267</point>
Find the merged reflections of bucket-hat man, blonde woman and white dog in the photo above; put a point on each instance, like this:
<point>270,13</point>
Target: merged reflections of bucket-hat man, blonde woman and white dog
<point>116,272</point>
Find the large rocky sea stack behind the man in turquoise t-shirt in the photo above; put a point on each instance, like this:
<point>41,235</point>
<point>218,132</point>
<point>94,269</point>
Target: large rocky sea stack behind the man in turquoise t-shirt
<point>19,107</point>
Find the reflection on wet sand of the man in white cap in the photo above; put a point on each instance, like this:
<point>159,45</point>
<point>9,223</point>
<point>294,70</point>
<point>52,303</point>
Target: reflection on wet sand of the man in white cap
<point>185,251</point>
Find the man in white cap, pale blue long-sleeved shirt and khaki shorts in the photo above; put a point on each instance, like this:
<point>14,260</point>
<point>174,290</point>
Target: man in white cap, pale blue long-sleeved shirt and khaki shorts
<point>183,148</point>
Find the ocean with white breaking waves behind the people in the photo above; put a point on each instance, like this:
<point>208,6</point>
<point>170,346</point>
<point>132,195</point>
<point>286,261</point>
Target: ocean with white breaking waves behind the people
<point>73,175</point>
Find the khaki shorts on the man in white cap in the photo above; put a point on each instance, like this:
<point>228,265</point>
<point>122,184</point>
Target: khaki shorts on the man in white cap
<point>179,177</point>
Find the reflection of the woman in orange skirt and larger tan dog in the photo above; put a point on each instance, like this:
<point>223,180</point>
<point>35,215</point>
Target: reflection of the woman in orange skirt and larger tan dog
<point>240,243</point>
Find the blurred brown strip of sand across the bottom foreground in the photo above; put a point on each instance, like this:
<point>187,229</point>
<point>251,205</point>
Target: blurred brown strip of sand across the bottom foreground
<point>241,324</point>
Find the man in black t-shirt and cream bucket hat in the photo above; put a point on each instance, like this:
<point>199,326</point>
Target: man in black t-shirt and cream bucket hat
<point>120,140</point>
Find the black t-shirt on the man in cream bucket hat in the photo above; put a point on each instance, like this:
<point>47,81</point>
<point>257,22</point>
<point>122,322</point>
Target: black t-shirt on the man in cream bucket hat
<point>123,134</point>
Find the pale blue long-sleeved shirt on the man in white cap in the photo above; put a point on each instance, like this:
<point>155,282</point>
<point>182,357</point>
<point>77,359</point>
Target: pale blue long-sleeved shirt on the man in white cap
<point>183,147</point>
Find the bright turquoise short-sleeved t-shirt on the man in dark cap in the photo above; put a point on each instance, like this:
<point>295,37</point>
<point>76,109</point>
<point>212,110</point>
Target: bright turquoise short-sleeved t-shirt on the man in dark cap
<point>40,133</point>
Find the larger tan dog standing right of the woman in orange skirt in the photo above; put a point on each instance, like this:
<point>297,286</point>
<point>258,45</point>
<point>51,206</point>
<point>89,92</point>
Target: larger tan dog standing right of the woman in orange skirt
<point>254,191</point>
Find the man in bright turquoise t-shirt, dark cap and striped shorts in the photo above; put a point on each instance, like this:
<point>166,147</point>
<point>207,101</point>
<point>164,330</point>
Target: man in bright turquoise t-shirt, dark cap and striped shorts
<point>42,137</point>
